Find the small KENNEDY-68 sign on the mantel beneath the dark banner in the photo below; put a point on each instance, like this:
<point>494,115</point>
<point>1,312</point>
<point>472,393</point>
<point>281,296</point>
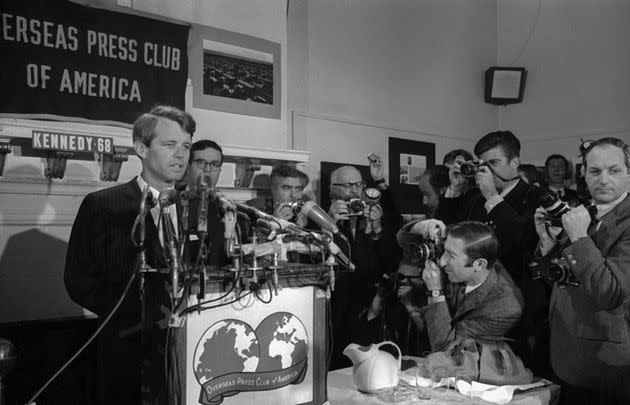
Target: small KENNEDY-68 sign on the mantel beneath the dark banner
<point>72,142</point>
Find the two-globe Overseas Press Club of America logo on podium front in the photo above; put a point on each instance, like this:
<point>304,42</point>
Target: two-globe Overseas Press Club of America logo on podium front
<point>232,357</point>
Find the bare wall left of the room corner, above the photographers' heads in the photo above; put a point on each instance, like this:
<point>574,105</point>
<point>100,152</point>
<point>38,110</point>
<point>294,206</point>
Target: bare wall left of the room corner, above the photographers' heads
<point>401,68</point>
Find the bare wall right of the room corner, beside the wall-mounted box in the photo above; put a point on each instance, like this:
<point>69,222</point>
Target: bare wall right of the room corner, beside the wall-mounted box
<point>578,62</point>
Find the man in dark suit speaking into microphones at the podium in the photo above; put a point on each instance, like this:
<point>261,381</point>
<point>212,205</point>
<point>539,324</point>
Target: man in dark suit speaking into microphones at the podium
<point>101,256</point>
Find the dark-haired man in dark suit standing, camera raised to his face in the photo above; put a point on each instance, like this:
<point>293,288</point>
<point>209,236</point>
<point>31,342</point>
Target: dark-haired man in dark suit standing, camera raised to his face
<point>506,203</point>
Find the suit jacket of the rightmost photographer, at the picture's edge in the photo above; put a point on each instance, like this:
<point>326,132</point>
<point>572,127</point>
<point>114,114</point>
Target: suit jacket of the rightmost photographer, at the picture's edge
<point>590,323</point>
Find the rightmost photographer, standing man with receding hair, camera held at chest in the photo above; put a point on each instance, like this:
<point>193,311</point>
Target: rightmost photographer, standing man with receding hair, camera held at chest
<point>590,319</point>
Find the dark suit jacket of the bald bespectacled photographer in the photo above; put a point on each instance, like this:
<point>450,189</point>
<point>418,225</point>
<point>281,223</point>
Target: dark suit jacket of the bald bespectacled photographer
<point>355,290</point>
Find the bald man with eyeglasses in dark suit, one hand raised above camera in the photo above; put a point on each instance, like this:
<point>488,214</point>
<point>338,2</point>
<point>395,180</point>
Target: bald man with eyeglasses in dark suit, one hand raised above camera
<point>373,249</point>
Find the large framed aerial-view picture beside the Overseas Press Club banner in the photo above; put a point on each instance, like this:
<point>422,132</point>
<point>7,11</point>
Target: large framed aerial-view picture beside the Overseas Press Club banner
<point>235,73</point>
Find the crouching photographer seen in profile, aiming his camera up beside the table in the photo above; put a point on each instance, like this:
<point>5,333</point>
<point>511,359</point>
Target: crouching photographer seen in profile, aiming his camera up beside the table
<point>477,300</point>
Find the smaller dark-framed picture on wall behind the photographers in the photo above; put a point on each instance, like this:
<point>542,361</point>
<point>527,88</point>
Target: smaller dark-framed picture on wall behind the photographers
<point>407,161</point>
